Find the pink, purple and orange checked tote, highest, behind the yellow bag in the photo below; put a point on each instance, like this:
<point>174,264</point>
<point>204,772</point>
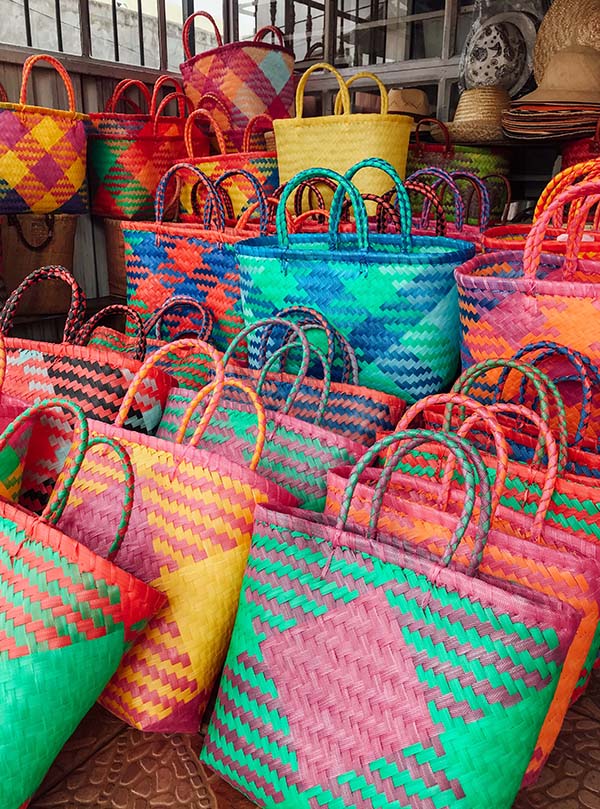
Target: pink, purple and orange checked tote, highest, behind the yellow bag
<point>249,78</point>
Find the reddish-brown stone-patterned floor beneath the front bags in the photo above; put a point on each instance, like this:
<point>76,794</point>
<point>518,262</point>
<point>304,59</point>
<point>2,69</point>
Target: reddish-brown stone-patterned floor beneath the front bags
<point>107,765</point>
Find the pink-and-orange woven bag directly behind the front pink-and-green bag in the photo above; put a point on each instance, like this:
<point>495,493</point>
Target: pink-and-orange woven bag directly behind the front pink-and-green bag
<point>564,573</point>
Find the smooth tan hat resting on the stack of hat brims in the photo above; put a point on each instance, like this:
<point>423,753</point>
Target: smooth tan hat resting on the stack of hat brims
<point>572,75</point>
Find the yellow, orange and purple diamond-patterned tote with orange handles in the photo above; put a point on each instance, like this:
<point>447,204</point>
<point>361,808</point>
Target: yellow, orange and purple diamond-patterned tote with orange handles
<point>42,152</point>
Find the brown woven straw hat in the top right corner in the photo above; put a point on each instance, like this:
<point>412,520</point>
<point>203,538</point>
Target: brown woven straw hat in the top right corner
<point>568,23</point>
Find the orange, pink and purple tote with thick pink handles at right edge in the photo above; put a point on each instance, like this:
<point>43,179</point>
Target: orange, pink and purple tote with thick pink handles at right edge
<point>510,299</point>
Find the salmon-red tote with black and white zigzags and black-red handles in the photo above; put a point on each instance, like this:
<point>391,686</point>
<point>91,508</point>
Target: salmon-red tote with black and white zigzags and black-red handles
<point>92,377</point>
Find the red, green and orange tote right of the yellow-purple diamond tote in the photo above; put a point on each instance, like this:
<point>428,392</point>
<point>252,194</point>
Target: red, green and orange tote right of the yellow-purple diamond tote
<point>130,152</point>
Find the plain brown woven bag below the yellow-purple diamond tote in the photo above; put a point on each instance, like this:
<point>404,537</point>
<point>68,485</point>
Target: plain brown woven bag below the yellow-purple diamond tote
<point>30,241</point>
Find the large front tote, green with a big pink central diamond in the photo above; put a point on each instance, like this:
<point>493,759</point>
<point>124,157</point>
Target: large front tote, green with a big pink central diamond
<point>361,673</point>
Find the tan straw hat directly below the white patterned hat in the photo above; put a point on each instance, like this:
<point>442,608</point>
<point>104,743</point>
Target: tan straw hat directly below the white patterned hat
<point>478,116</point>
